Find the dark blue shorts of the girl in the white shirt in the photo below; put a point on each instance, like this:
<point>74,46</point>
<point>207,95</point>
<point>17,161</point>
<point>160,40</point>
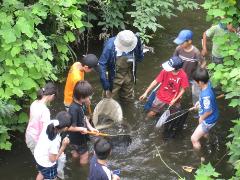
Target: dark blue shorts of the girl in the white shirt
<point>48,172</point>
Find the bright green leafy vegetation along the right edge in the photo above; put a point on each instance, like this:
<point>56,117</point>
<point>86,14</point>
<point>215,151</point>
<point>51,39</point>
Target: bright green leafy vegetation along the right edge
<point>227,75</point>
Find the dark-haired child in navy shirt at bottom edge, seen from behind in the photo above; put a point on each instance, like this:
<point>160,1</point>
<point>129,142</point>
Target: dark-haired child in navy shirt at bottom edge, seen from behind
<point>98,164</point>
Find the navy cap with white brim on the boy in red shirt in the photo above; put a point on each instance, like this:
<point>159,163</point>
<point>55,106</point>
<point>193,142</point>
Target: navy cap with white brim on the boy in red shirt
<point>174,63</point>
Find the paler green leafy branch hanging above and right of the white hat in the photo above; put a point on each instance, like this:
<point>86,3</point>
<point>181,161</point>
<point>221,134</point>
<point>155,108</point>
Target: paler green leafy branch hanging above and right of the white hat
<point>149,11</point>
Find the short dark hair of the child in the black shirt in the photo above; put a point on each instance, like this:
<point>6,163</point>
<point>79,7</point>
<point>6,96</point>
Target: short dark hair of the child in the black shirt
<point>82,90</point>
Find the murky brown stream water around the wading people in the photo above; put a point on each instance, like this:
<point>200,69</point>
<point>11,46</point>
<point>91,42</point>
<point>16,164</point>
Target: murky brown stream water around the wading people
<point>138,160</point>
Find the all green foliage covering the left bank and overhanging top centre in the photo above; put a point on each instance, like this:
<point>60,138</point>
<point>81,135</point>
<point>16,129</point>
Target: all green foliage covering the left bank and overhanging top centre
<point>36,39</point>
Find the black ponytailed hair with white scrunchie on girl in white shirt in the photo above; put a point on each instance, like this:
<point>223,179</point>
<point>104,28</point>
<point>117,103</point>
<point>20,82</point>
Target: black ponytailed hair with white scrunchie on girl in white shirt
<point>63,119</point>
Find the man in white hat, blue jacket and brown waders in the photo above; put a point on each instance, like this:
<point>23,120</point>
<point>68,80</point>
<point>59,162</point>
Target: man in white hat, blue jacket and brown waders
<point>118,64</point>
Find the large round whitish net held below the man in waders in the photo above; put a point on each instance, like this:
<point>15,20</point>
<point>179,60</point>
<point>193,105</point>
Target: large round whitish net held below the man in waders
<point>106,113</point>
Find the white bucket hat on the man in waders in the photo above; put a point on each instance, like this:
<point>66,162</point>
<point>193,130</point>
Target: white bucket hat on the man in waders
<point>125,41</point>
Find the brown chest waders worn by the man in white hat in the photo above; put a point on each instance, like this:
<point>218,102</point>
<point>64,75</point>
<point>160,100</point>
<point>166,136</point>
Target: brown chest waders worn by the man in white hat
<point>125,77</point>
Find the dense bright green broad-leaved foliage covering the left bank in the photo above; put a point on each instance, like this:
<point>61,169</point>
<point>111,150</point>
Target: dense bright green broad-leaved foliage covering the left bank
<point>28,49</point>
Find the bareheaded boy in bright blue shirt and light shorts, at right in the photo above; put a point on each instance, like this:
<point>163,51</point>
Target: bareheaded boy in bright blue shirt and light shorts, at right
<point>208,110</point>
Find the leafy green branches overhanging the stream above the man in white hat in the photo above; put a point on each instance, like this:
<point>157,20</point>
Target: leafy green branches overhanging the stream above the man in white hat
<point>117,14</point>
